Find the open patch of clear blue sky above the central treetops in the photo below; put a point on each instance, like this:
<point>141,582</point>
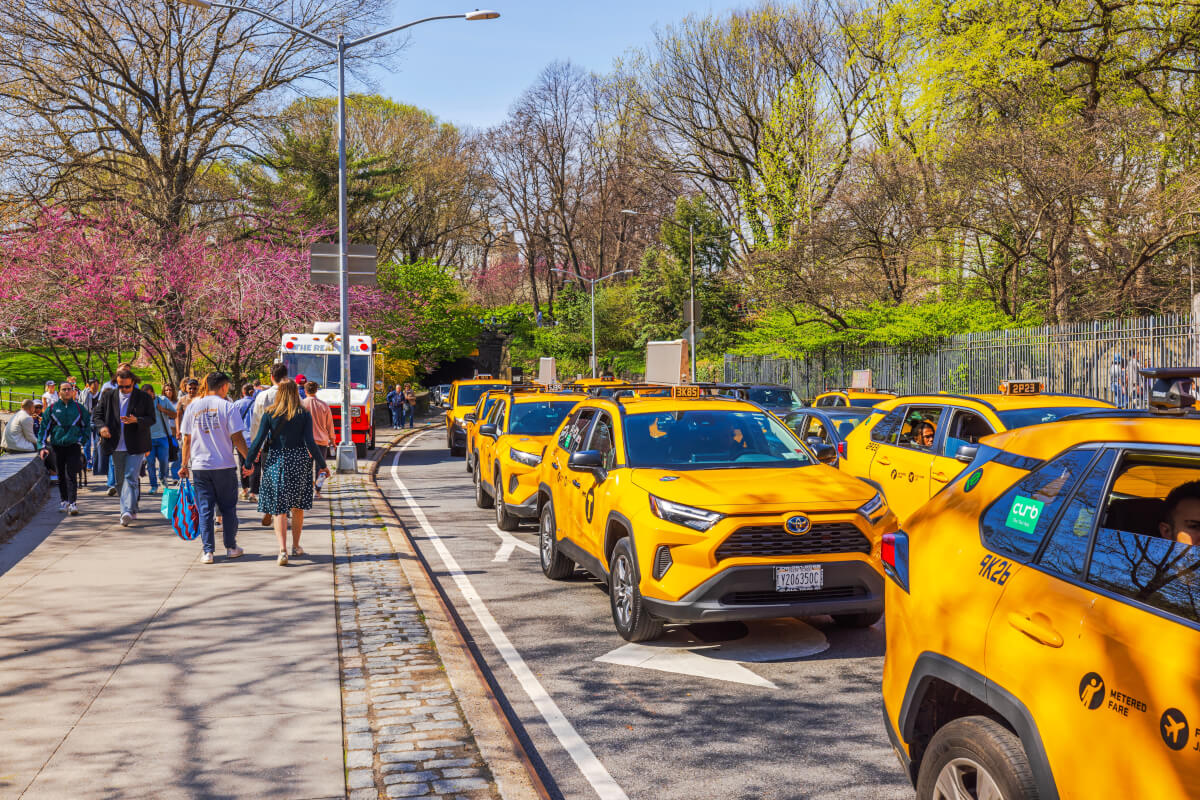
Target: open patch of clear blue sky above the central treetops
<point>470,74</point>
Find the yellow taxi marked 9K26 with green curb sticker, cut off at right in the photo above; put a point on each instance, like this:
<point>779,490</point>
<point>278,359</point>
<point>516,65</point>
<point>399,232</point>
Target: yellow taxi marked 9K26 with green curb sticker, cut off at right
<point>1043,613</point>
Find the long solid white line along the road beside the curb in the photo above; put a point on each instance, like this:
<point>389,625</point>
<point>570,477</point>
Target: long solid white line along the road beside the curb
<point>573,743</point>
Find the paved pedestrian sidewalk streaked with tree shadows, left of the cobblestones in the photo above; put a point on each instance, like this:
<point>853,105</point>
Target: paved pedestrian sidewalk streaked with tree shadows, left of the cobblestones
<point>128,669</point>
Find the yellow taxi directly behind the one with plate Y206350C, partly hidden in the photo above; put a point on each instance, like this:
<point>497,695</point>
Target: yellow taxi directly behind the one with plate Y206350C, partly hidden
<point>511,446</point>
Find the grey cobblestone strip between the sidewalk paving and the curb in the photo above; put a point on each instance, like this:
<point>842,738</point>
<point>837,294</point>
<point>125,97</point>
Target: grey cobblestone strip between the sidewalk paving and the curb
<point>406,736</point>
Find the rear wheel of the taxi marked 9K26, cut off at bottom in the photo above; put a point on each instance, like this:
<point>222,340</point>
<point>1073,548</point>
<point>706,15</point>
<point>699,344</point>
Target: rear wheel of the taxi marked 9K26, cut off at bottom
<point>971,751</point>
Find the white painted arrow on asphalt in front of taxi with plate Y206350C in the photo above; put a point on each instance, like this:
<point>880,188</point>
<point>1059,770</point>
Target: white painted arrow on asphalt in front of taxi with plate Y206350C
<point>680,652</point>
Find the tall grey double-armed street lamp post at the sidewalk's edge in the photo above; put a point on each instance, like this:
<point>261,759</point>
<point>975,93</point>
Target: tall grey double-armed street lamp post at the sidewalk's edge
<point>347,456</point>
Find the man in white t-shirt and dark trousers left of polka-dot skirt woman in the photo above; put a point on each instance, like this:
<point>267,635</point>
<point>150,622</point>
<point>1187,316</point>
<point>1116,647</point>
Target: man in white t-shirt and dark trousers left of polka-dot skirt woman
<point>211,430</point>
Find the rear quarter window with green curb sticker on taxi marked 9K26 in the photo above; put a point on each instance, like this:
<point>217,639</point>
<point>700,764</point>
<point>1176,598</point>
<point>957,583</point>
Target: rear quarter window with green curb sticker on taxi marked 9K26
<point>1019,520</point>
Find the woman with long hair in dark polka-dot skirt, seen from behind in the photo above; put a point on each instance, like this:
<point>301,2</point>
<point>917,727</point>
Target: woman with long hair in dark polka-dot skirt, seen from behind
<point>286,431</point>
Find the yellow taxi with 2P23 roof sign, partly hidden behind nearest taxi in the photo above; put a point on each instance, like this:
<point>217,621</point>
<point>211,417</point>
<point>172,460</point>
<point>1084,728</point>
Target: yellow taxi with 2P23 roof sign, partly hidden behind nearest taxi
<point>915,446</point>
